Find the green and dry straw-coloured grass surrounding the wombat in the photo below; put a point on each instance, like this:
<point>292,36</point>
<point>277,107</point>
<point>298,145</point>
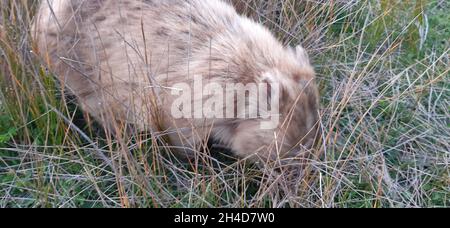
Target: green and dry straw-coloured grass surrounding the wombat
<point>383,68</point>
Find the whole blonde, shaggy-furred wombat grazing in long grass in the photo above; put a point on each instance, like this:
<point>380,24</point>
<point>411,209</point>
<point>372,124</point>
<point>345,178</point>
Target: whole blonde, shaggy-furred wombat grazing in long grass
<point>140,63</point>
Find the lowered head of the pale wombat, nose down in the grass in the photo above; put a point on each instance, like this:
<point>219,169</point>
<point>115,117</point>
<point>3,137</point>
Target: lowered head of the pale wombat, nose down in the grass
<point>293,126</point>
